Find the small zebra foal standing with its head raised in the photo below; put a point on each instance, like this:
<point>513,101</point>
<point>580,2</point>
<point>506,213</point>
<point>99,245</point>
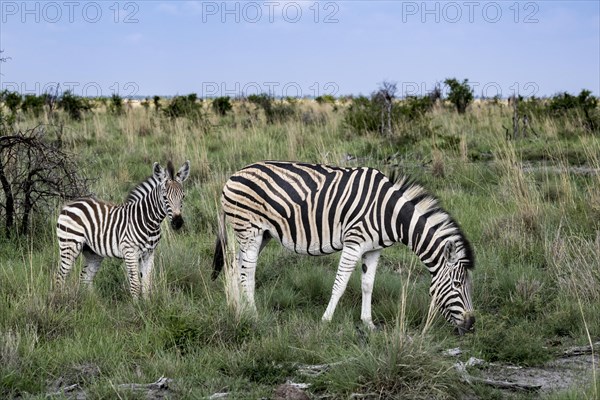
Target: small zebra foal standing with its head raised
<point>130,231</point>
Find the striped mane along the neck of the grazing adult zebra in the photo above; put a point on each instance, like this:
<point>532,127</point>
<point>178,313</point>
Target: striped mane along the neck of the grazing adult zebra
<point>426,203</point>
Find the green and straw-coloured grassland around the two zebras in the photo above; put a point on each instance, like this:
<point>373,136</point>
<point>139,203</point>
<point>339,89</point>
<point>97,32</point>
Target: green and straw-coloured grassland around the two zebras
<point>533,219</point>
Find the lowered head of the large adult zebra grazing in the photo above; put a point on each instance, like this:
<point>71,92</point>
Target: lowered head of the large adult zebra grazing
<point>451,286</point>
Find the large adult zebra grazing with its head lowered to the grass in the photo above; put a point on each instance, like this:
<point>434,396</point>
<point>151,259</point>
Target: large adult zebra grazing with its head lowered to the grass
<point>318,209</point>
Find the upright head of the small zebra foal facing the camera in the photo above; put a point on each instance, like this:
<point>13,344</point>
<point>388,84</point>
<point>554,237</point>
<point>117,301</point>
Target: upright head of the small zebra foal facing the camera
<point>172,190</point>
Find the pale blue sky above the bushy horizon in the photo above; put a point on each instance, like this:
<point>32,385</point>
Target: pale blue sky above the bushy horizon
<point>307,48</point>
